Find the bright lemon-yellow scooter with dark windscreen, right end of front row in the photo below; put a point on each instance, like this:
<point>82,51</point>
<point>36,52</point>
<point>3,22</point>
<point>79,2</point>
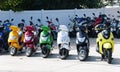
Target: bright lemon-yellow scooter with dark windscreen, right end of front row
<point>105,45</point>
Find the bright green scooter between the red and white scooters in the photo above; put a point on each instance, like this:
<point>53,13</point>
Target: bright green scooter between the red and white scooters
<point>46,41</point>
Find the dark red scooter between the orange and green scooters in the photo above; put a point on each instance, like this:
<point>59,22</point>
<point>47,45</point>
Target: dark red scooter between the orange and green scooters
<point>30,41</point>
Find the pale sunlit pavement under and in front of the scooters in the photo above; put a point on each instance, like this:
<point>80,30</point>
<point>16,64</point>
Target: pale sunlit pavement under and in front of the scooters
<point>21,63</point>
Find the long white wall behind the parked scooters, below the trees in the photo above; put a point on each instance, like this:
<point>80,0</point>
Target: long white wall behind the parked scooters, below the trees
<point>52,14</point>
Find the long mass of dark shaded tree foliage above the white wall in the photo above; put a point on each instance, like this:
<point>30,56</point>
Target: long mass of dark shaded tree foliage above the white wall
<point>17,5</point>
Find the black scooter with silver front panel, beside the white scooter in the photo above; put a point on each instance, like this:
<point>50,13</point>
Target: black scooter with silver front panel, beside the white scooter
<point>82,43</point>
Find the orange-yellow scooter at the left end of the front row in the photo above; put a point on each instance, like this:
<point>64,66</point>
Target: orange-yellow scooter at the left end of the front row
<point>15,40</point>
